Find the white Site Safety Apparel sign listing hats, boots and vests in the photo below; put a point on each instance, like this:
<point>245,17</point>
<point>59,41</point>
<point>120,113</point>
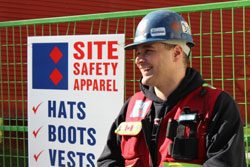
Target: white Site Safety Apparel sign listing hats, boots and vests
<point>75,91</point>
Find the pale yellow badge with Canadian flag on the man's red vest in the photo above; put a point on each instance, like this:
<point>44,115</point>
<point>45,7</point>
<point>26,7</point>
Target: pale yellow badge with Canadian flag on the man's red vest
<point>129,128</point>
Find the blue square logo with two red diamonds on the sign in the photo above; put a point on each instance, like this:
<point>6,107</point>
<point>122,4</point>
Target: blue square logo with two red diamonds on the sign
<point>50,66</point>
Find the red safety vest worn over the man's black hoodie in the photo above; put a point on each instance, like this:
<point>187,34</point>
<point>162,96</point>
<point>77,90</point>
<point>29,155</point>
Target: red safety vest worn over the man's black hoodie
<point>133,144</point>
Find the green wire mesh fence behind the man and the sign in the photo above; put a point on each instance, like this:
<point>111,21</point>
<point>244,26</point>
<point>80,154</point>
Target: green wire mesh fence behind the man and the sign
<point>222,54</point>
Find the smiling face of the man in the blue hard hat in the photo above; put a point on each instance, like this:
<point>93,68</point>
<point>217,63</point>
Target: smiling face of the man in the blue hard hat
<point>155,62</point>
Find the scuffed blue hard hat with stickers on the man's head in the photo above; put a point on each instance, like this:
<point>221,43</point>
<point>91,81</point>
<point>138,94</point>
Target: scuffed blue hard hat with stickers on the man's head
<point>162,25</point>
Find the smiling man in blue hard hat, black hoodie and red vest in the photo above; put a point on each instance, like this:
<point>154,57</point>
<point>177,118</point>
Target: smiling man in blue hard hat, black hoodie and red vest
<point>177,119</point>
